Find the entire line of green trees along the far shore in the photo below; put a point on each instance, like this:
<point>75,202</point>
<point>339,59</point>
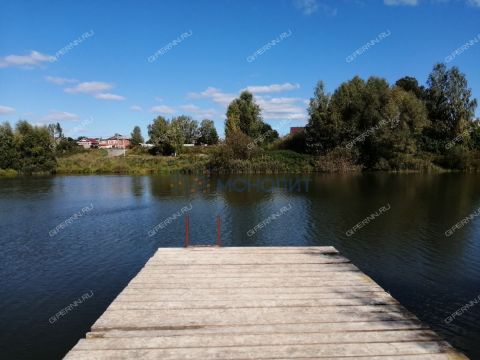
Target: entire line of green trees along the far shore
<point>364,124</point>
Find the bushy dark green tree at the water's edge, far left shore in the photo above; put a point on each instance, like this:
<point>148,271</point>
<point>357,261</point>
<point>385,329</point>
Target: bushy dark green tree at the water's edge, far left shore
<point>35,148</point>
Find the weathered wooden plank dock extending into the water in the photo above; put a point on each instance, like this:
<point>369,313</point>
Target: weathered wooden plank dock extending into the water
<point>257,303</point>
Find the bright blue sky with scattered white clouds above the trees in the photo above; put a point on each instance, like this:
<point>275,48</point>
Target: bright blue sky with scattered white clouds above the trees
<point>135,60</point>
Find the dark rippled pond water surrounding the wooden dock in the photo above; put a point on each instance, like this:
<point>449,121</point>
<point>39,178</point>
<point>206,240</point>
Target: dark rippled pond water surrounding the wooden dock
<point>404,249</point>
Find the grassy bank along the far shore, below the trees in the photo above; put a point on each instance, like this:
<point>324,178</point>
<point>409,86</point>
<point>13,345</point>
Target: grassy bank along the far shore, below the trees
<point>261,162</point>
